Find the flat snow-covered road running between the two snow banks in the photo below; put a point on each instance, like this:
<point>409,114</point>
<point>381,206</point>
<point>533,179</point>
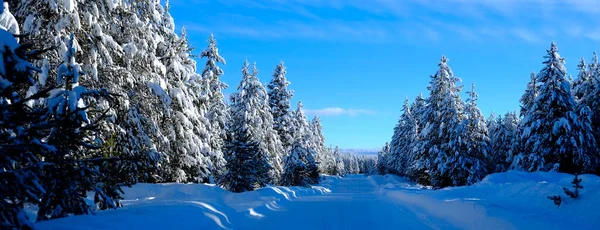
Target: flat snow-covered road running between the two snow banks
<point>355,202</point>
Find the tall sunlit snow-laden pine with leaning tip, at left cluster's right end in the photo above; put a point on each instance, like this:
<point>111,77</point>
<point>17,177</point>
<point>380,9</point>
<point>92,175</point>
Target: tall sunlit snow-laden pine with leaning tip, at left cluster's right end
<point>185,125</point>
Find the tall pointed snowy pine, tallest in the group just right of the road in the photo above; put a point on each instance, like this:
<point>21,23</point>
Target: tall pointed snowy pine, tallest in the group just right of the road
<point>439,136</point>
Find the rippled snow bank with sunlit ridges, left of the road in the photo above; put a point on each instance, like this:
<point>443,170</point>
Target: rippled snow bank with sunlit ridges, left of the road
<point>183,206</point>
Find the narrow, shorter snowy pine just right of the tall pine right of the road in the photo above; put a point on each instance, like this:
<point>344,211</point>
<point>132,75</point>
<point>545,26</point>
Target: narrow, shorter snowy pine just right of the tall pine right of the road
<point>469,165</point>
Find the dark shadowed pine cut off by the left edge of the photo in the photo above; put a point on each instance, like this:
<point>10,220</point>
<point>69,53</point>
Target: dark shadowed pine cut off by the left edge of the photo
<point>21,135</point>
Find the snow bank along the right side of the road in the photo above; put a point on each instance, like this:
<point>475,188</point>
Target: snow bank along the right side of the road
<point>511,200</point>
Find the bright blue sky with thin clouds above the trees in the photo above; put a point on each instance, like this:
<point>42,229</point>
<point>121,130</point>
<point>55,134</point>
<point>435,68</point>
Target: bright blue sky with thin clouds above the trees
<point>353,62</point>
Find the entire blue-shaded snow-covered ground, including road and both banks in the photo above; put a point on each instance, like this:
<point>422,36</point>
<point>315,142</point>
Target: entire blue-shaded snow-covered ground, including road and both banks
<point>512,200</point>
